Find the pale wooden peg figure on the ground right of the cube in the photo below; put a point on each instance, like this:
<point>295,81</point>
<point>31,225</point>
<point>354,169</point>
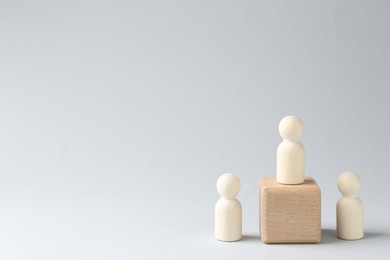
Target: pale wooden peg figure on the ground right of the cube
<point>349,207</point>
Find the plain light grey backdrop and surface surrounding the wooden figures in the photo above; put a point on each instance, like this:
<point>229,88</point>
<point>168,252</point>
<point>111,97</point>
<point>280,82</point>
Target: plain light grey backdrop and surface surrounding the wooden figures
<point>117,118</point>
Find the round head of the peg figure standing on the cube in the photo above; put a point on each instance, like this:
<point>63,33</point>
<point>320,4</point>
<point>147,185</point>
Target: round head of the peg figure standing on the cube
<point>291,128</point>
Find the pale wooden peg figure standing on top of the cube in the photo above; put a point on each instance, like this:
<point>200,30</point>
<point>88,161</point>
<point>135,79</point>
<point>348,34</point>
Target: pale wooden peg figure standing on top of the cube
<point>290,165</point>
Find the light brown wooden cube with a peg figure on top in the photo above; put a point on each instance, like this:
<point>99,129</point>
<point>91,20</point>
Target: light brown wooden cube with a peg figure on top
<point>290,213</point>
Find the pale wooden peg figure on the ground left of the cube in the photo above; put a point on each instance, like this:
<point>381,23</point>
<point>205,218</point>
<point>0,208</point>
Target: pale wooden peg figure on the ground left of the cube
<point>228,210</point>
